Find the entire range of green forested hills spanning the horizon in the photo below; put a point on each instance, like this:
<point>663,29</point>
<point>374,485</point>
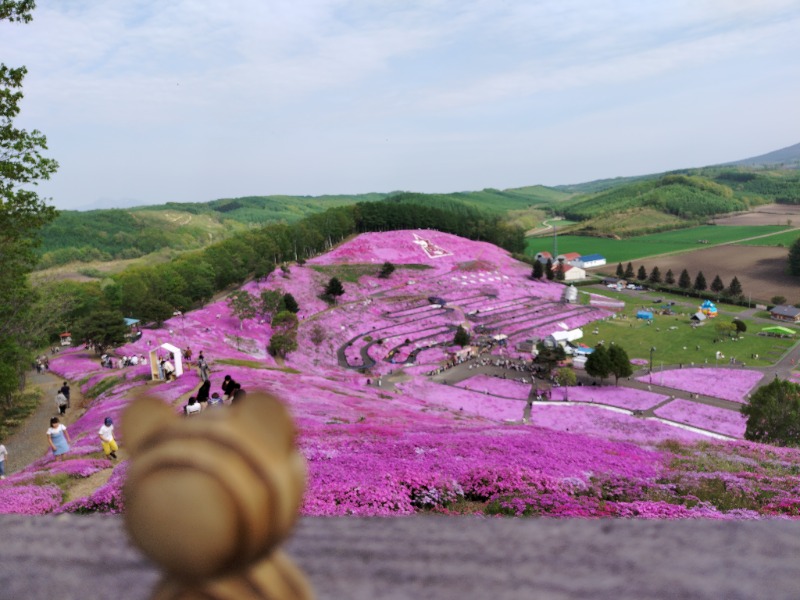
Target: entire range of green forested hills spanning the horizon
<point>623,207</point>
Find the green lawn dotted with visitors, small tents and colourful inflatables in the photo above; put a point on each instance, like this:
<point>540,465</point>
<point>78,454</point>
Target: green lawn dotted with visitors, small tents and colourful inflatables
<point>677,342</point>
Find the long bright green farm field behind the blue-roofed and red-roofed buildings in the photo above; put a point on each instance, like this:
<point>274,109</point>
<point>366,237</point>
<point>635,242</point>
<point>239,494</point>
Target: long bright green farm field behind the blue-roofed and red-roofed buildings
<point>679,240</point>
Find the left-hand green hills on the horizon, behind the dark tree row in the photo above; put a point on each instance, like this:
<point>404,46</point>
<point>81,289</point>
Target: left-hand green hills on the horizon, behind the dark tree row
<point>131,233</point>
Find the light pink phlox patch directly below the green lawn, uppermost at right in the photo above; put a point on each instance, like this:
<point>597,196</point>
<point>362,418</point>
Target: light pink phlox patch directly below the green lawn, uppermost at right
<point>728,384</point>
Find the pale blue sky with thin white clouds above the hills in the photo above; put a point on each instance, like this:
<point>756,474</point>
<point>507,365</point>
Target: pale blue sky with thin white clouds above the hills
<point>150,101</point>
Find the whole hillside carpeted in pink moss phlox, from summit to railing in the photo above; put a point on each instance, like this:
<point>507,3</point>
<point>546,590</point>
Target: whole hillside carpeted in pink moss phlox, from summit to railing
<point>382,437</point>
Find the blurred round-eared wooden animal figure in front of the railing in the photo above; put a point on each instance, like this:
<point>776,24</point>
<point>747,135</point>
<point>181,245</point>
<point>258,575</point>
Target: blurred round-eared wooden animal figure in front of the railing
<point>209,499</point>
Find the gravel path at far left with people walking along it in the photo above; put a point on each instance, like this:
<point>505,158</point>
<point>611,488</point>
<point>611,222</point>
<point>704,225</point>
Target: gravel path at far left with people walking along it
<point>29,443</point>
